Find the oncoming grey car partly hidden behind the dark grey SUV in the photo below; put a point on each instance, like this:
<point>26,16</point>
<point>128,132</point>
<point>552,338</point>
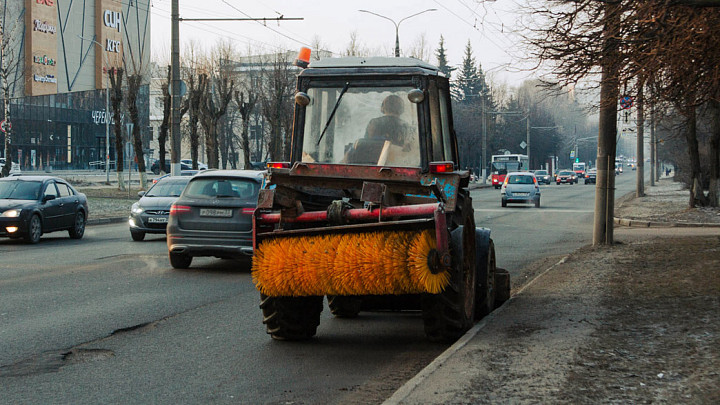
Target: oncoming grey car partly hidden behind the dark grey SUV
<point>150,214</point>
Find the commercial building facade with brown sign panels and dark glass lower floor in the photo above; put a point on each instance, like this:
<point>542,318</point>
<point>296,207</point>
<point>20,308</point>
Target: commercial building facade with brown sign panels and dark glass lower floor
<point>56,55</point>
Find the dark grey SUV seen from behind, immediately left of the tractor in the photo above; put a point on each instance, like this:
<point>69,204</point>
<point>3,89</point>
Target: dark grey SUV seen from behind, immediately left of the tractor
<point>213,216</point>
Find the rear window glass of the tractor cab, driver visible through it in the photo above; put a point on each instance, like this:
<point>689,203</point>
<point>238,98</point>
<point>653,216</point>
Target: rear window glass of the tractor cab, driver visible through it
<point>371,126</point>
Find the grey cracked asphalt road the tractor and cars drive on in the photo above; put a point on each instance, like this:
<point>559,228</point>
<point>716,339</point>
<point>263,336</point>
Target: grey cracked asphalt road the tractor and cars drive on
<point>105,319</point>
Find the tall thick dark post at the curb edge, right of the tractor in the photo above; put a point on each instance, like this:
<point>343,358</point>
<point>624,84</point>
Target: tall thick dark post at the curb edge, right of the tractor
<point>605,190</point>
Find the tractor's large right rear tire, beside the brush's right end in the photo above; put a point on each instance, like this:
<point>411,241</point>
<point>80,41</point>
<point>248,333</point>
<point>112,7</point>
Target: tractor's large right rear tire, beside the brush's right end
<point>448,315</point>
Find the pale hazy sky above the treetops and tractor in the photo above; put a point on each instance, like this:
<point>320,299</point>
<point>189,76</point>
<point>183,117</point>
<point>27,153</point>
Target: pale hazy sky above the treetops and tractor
<point>486,24</point>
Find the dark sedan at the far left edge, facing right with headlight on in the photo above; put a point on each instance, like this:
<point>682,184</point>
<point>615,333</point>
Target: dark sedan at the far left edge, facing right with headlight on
<point>31,206</point>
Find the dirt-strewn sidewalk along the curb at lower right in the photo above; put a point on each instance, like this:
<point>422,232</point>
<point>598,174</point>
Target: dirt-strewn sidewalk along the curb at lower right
<point>637,322</point>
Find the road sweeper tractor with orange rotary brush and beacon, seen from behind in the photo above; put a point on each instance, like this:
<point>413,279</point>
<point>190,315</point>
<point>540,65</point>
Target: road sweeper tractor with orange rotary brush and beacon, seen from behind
<point>372,210</point>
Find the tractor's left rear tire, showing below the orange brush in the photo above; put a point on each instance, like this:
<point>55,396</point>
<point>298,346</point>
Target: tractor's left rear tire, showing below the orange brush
<point>291,318</point>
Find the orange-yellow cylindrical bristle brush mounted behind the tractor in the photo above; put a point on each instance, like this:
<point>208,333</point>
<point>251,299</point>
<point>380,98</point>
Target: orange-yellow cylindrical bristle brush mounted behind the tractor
<point>348,264</point>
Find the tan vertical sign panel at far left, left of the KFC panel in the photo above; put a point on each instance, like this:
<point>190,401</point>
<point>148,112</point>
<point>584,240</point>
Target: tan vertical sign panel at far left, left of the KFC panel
<point>41,47</point>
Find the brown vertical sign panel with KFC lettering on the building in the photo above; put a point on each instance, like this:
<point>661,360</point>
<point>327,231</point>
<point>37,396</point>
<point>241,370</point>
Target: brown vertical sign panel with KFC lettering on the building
<point>108,31</point>
